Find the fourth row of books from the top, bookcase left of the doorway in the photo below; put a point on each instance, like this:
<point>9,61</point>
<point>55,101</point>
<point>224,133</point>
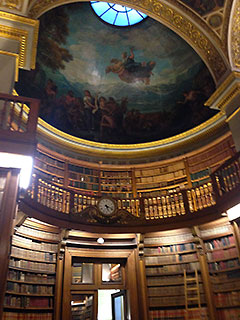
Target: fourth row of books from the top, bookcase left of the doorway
<point>38,266</point>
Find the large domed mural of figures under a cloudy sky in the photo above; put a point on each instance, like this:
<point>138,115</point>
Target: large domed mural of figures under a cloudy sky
<point>115,85</point>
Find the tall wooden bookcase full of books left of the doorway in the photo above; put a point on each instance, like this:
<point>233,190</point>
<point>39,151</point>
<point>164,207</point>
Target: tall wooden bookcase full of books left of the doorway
<point>32,272</point>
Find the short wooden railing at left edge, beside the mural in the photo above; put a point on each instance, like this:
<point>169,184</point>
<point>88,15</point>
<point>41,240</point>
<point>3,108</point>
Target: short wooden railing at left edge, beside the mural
<point>18,114</point>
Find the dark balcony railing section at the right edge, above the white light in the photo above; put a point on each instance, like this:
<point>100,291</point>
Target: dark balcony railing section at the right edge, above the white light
<point>227,177</point>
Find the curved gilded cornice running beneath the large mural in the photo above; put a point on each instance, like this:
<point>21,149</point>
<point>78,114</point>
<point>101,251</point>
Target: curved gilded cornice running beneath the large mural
<point>57,137</point>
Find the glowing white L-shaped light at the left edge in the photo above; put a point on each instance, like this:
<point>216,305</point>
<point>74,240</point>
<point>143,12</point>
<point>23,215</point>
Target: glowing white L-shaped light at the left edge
<point>25,163</point>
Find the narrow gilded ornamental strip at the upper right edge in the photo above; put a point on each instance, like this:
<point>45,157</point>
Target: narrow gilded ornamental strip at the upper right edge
<point>235,36</point>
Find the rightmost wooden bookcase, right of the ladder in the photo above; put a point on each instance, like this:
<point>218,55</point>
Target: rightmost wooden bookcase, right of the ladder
<point>223,266</point>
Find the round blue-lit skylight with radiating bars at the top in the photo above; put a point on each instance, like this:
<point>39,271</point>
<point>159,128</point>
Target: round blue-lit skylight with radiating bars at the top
<point>117,14</point>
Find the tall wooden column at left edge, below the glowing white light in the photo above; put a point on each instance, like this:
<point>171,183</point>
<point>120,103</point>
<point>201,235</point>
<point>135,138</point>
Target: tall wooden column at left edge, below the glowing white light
<point>8,197</point>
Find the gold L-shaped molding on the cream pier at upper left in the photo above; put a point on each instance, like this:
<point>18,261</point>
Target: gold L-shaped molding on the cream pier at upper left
<point>21,35</point>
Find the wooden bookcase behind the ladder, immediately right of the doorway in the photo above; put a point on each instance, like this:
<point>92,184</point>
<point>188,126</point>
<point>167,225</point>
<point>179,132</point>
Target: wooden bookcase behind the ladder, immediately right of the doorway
<point>166,255</point>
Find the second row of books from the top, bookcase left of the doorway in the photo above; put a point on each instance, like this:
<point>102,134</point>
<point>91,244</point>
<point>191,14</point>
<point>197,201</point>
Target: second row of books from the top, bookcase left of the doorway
<point>30,244</point>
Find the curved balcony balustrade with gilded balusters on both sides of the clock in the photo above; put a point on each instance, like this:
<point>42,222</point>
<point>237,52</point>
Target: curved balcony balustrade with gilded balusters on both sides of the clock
<point>152,208</point>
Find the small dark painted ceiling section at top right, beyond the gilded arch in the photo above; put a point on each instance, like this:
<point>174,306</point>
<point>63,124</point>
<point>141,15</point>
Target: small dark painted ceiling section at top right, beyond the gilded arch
<point>204,7</point>
